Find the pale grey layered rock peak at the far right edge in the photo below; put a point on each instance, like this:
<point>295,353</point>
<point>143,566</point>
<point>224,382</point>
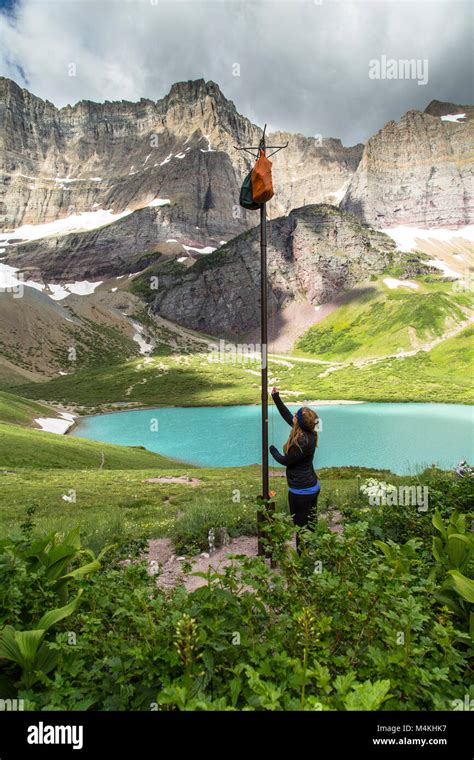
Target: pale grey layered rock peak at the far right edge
<point>418,171</point>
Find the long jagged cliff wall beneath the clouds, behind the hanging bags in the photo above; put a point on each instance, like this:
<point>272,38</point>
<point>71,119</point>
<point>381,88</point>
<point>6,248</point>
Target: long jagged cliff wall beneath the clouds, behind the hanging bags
<point>57,162</point>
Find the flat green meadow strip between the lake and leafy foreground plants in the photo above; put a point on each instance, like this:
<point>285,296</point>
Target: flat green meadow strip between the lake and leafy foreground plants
<point>121,505</point>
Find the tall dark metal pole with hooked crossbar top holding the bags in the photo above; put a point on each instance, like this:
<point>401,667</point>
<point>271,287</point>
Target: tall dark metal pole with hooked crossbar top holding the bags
<point>264,339</point>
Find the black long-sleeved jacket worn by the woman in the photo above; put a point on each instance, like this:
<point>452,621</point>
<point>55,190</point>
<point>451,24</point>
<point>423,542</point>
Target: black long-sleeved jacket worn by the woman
<point>298,461</point>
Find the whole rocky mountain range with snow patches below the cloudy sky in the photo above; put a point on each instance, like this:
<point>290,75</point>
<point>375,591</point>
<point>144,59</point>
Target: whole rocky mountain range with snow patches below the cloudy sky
<point>99,198</point>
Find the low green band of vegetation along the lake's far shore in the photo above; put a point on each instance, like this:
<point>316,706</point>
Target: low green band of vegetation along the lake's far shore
<point>444,374</point>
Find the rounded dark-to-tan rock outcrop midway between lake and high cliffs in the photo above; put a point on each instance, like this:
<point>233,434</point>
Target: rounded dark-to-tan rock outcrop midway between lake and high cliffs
<point>313,254</point>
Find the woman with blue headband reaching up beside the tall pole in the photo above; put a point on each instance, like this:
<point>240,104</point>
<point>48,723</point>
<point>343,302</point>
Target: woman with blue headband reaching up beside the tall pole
<point>303,483</point>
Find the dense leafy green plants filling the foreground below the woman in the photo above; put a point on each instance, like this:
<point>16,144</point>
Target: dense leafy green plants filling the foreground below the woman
<point>373,618</point>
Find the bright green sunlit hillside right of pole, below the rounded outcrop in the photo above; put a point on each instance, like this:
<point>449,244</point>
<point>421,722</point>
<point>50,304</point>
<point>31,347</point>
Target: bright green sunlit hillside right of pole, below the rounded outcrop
<point>383,321</point>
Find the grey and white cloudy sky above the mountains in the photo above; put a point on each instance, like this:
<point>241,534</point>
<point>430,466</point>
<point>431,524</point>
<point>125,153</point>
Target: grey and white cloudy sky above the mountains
<point>300,65</point>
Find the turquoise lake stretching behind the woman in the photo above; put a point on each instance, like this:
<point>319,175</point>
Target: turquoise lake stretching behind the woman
<point>401,437</point>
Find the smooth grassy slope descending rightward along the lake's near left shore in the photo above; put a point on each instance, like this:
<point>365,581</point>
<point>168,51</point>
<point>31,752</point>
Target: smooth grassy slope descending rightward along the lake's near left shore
<point>24,447</point>
